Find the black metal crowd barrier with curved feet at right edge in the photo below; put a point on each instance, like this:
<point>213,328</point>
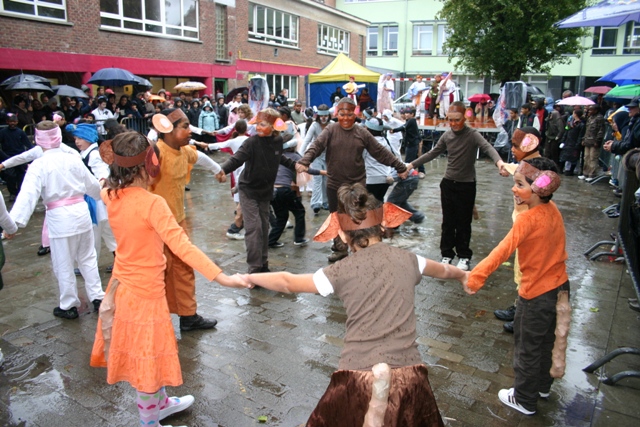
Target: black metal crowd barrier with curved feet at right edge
<point>628,239</point>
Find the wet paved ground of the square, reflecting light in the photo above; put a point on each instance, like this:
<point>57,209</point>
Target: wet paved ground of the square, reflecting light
<point>272,354</point>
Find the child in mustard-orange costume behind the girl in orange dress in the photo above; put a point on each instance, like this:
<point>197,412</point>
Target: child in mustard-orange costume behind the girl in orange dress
<point>178,158</point>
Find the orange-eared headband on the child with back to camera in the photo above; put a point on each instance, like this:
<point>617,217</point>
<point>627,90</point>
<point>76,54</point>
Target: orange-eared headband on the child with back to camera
<point>387,215</point>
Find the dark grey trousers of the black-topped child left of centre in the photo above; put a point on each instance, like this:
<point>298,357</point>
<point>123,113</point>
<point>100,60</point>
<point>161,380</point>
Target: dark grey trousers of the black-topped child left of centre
<point>256,237</point>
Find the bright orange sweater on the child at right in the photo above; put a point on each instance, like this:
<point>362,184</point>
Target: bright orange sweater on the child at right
<point>539,236</point>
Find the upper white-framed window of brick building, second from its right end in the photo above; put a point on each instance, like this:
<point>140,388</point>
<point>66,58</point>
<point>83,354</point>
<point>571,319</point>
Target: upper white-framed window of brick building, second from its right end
<point>270,24</point>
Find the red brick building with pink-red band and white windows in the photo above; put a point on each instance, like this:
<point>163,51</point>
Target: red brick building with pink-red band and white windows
<point>221,43</point>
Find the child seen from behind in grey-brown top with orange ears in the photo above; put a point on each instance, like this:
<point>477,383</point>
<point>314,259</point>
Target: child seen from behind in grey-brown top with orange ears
<point>377,286</point>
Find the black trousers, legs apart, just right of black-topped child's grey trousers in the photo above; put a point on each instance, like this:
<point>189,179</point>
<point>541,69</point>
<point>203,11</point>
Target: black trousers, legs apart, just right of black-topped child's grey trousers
<point>286,200</point>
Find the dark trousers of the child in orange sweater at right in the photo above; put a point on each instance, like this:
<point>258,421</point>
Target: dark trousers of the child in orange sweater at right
<point>534,327</point>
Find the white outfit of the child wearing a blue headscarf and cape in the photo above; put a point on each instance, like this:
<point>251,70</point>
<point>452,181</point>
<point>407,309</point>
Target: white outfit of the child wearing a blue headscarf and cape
<point>91,158</point>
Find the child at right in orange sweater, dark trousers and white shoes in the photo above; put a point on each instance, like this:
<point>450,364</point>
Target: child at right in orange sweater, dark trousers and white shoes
<point>544,279</point>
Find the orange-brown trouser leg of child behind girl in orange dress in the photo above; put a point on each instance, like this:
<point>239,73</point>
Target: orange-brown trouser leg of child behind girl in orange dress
<point>180,281</point>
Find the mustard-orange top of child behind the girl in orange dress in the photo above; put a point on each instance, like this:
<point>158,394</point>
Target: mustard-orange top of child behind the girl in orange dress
<point>174,174</point>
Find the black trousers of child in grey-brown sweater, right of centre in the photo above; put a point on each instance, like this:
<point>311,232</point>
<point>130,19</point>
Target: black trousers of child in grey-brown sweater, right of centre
<point>457,199</point>
